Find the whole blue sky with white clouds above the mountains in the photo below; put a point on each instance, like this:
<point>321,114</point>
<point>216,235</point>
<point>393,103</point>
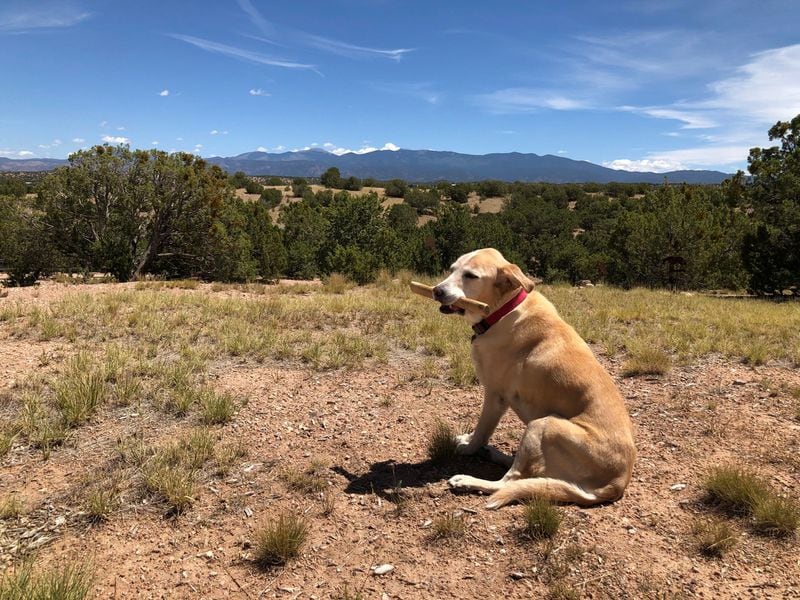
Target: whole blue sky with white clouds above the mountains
<point>641,85</point>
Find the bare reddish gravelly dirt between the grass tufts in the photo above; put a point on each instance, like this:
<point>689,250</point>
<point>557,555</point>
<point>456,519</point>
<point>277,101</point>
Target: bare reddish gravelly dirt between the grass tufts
<point>370,426</point>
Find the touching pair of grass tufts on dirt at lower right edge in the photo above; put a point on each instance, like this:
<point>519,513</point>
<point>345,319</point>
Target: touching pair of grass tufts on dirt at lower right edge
<point>740,492</point>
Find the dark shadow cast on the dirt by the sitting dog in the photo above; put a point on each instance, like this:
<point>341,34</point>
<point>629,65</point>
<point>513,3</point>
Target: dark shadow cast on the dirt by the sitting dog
<point>387,478</point>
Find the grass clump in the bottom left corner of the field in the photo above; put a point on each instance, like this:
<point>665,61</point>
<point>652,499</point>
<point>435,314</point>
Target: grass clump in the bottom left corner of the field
<point>69,582</point>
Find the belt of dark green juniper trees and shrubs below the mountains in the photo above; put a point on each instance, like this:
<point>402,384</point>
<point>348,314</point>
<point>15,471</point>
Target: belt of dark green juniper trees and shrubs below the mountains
<point>138,213</point>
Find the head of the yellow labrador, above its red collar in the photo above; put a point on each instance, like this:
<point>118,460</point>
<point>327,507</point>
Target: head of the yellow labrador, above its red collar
<point>482,275</point>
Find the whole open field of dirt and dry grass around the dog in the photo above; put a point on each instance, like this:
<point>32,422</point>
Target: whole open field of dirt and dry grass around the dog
<point>151,433</point>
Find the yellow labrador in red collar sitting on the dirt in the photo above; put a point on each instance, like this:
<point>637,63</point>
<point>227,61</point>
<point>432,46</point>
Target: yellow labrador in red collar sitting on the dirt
<point>578,441</point>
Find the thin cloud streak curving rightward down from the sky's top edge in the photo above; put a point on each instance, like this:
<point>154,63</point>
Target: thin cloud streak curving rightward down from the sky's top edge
<point>318,42</point>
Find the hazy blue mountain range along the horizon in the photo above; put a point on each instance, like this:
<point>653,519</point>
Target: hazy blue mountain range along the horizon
<point>422,165</point>
